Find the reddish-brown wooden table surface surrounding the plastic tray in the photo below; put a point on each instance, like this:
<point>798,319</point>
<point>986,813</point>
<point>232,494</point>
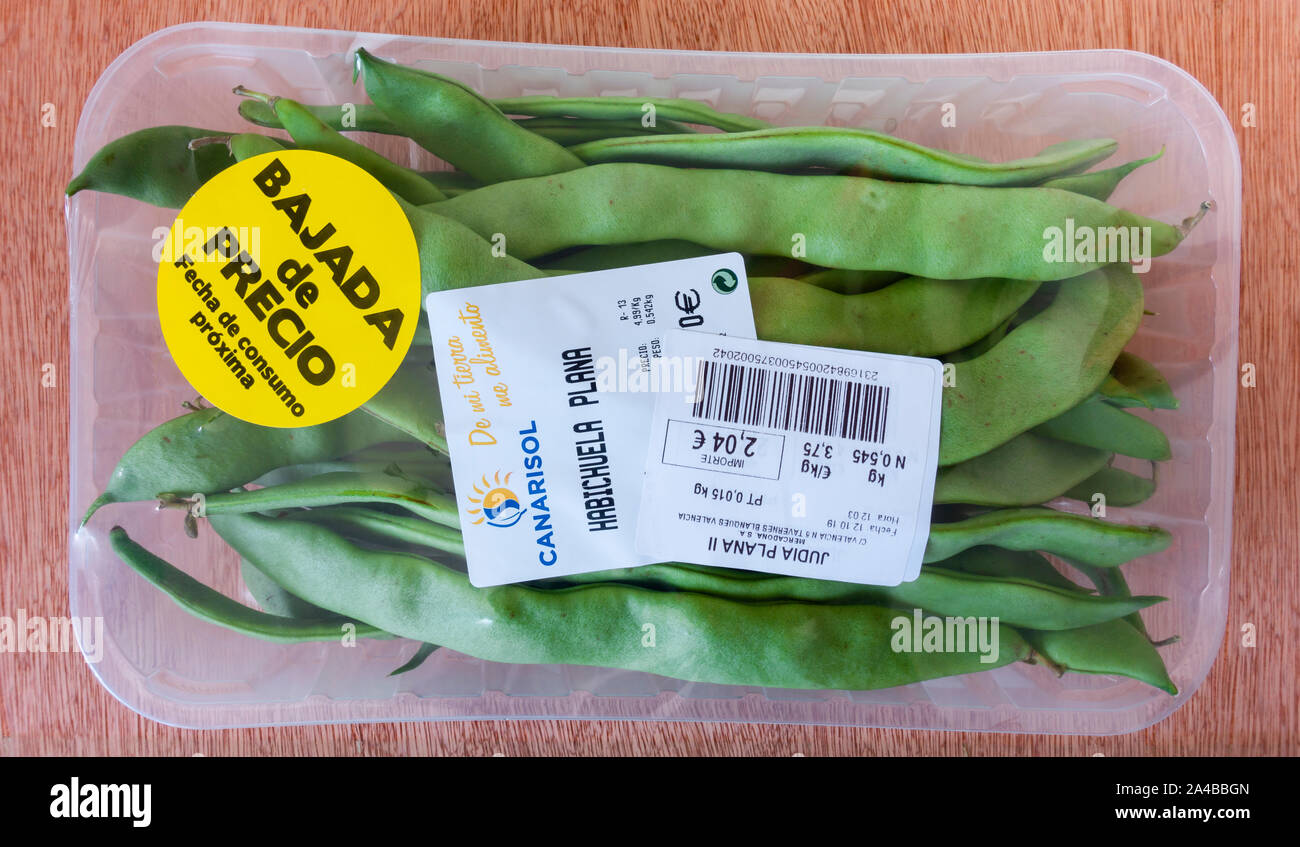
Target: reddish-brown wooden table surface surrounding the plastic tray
<point>1243,53</point>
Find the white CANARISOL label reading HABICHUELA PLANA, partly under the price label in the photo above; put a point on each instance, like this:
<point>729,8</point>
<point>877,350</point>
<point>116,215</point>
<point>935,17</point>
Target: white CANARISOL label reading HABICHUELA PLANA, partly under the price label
<point>548,388</point>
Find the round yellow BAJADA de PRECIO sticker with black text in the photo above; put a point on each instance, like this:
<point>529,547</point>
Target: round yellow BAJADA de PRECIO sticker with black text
<point>289,290</point>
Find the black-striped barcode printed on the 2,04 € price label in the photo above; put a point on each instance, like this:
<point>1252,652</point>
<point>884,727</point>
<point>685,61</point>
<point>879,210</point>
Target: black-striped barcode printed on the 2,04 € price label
<point>798,403</point>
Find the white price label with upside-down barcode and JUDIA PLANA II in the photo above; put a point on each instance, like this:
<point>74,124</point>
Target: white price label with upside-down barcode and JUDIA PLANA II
<point>795,461</point>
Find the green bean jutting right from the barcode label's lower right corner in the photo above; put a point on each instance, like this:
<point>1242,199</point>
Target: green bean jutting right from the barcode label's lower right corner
<point>1072,537</point>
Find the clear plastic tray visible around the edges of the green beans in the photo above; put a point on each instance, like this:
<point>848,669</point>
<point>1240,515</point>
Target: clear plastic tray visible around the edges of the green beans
<point>180,671</point>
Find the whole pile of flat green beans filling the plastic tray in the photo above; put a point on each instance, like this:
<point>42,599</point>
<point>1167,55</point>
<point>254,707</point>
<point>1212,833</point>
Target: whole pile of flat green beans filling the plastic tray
<point>852,238</point>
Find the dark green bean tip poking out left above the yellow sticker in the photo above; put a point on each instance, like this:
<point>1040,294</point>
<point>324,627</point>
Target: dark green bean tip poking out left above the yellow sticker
<point>154,166</point>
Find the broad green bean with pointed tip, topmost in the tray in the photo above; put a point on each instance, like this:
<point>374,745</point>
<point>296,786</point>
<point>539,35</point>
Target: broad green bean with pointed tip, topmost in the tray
<point>454,123</point>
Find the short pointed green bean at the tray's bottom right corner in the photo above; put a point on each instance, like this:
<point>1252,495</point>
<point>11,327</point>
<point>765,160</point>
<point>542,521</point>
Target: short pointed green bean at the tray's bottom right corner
<point>1113,648</point>
